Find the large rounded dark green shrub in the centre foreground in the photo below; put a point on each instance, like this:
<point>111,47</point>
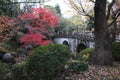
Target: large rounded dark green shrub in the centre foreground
<point>46,61</point>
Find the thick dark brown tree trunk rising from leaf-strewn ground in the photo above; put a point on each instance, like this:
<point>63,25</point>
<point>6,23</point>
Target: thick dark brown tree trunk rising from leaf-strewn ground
<point>103,53</point>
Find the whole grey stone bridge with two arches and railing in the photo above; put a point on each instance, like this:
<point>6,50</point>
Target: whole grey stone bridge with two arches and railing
<point>76,41</point>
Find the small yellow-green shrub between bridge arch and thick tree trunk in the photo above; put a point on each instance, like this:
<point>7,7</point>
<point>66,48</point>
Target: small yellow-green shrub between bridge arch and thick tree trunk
<point>86,54</point>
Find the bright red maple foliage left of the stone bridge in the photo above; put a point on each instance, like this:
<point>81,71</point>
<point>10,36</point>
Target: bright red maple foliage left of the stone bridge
<point>39,21</point>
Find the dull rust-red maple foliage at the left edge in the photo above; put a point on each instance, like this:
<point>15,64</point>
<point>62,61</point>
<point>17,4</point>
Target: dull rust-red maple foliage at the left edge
<point>6,26</point>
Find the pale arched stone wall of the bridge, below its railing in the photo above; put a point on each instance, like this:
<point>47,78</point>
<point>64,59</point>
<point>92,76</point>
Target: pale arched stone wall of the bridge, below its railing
<point>74,44</point>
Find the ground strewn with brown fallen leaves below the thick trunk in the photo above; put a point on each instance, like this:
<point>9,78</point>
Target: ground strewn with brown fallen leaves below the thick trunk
<point>93,73</point>
